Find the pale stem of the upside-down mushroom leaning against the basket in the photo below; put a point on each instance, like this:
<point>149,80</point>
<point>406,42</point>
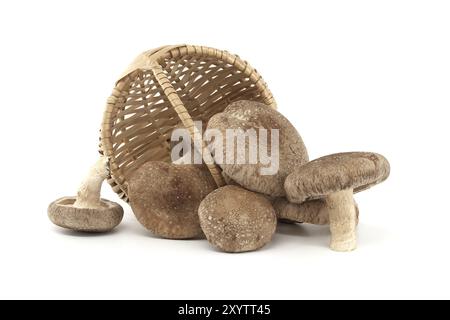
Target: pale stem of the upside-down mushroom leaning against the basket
<point>88,195</point>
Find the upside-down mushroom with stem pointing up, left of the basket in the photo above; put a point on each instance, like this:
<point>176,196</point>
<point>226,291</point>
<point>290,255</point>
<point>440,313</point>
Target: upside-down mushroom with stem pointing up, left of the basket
<point>87,212</point>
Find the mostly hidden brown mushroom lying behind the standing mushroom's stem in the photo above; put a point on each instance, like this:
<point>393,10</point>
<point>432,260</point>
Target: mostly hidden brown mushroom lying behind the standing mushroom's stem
<point>312,212</point>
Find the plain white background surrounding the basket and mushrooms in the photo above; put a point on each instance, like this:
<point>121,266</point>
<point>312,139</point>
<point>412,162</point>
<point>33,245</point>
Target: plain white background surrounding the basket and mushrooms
<point>351,75</point>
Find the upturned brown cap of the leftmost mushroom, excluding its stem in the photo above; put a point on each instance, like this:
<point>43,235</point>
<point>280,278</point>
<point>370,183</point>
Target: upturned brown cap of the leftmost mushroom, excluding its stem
<point>63,214</point>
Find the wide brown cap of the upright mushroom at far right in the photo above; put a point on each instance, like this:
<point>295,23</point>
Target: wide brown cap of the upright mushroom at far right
<point>336,172</point>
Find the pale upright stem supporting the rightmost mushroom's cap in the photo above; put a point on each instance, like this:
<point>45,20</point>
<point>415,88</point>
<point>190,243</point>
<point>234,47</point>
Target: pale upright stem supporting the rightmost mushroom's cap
<point>343,220</point>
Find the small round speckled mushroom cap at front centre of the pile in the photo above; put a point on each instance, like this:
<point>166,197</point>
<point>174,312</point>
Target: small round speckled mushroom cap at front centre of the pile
<point>237,220</point>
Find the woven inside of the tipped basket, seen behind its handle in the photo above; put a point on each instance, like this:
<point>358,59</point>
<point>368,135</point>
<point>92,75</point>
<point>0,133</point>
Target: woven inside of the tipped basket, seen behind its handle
<point>145,119</point>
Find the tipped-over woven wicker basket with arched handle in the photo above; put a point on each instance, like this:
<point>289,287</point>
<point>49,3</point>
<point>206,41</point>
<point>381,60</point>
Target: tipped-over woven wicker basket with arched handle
<point>163,89</point>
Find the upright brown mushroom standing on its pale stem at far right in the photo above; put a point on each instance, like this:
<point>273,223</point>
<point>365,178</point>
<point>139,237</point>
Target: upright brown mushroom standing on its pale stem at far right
<point>334,179</point>
